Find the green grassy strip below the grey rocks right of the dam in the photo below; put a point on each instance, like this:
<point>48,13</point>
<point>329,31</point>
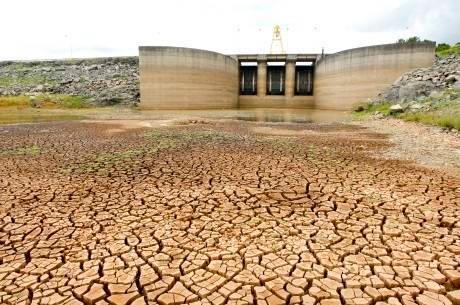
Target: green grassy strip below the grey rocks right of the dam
<point>442,110</point>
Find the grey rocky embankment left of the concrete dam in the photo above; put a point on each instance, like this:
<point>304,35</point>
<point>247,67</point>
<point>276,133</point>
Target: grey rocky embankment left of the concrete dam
<point>104,81</point>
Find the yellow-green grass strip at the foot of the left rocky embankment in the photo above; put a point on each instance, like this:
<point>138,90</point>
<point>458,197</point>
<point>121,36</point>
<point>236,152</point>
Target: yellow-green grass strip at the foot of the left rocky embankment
<point>45,101</point>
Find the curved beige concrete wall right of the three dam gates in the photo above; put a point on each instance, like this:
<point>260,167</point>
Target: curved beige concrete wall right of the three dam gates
<point>352,76</point>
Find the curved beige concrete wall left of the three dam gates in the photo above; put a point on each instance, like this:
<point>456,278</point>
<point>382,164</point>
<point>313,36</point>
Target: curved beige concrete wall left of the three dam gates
<point>184,78</point>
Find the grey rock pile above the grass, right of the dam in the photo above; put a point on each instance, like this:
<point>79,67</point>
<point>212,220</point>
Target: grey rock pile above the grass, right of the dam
<point>445,73</point>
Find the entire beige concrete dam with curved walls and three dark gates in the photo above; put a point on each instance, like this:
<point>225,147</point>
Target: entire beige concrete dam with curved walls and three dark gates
<point>184,78</point>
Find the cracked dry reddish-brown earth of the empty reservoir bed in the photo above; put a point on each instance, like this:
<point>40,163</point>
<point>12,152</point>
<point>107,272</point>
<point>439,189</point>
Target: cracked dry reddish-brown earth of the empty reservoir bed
<point>221,214</point>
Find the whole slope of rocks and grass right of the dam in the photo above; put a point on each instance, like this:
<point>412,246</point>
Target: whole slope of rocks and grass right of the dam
<point>429,95</point>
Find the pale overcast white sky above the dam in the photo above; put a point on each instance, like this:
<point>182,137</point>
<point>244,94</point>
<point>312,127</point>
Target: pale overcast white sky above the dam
<point>39,29</point>
